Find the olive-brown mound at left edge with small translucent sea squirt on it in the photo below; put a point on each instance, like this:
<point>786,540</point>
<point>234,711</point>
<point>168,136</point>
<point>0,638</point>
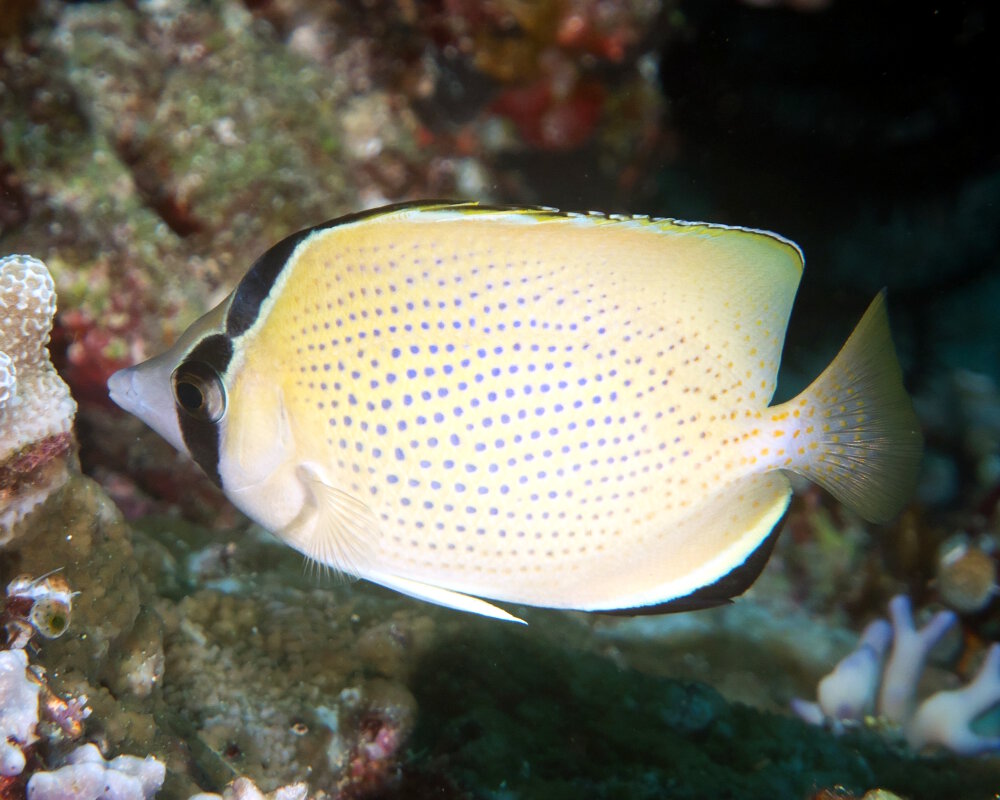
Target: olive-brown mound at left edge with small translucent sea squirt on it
<point>89,586</point>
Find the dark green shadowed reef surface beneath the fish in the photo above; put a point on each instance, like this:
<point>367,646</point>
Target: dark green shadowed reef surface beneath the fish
<point>502,711</point>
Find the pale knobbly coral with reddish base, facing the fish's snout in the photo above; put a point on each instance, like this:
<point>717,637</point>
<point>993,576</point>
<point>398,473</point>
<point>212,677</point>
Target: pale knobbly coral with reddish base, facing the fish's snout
<point>36,410</point>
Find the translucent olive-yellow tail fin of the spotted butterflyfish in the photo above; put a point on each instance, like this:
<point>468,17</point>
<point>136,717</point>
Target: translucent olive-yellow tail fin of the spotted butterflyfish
<point>867,440</point>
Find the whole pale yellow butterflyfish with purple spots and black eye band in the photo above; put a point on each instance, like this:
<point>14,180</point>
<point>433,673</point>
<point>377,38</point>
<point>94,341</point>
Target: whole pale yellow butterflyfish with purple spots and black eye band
<point>460,402</point>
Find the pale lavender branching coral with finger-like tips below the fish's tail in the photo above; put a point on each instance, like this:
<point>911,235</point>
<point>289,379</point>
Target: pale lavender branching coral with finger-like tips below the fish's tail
<point>865,683</point>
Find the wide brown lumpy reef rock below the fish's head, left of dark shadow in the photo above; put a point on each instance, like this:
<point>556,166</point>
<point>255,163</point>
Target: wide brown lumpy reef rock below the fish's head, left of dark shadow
<point>262,680</point>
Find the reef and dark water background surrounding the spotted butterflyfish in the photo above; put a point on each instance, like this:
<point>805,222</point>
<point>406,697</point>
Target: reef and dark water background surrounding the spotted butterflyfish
<point>150,150</point>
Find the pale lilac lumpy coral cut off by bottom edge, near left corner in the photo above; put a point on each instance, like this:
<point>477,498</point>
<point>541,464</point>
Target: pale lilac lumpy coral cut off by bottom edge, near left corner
<point>87,776</point>
